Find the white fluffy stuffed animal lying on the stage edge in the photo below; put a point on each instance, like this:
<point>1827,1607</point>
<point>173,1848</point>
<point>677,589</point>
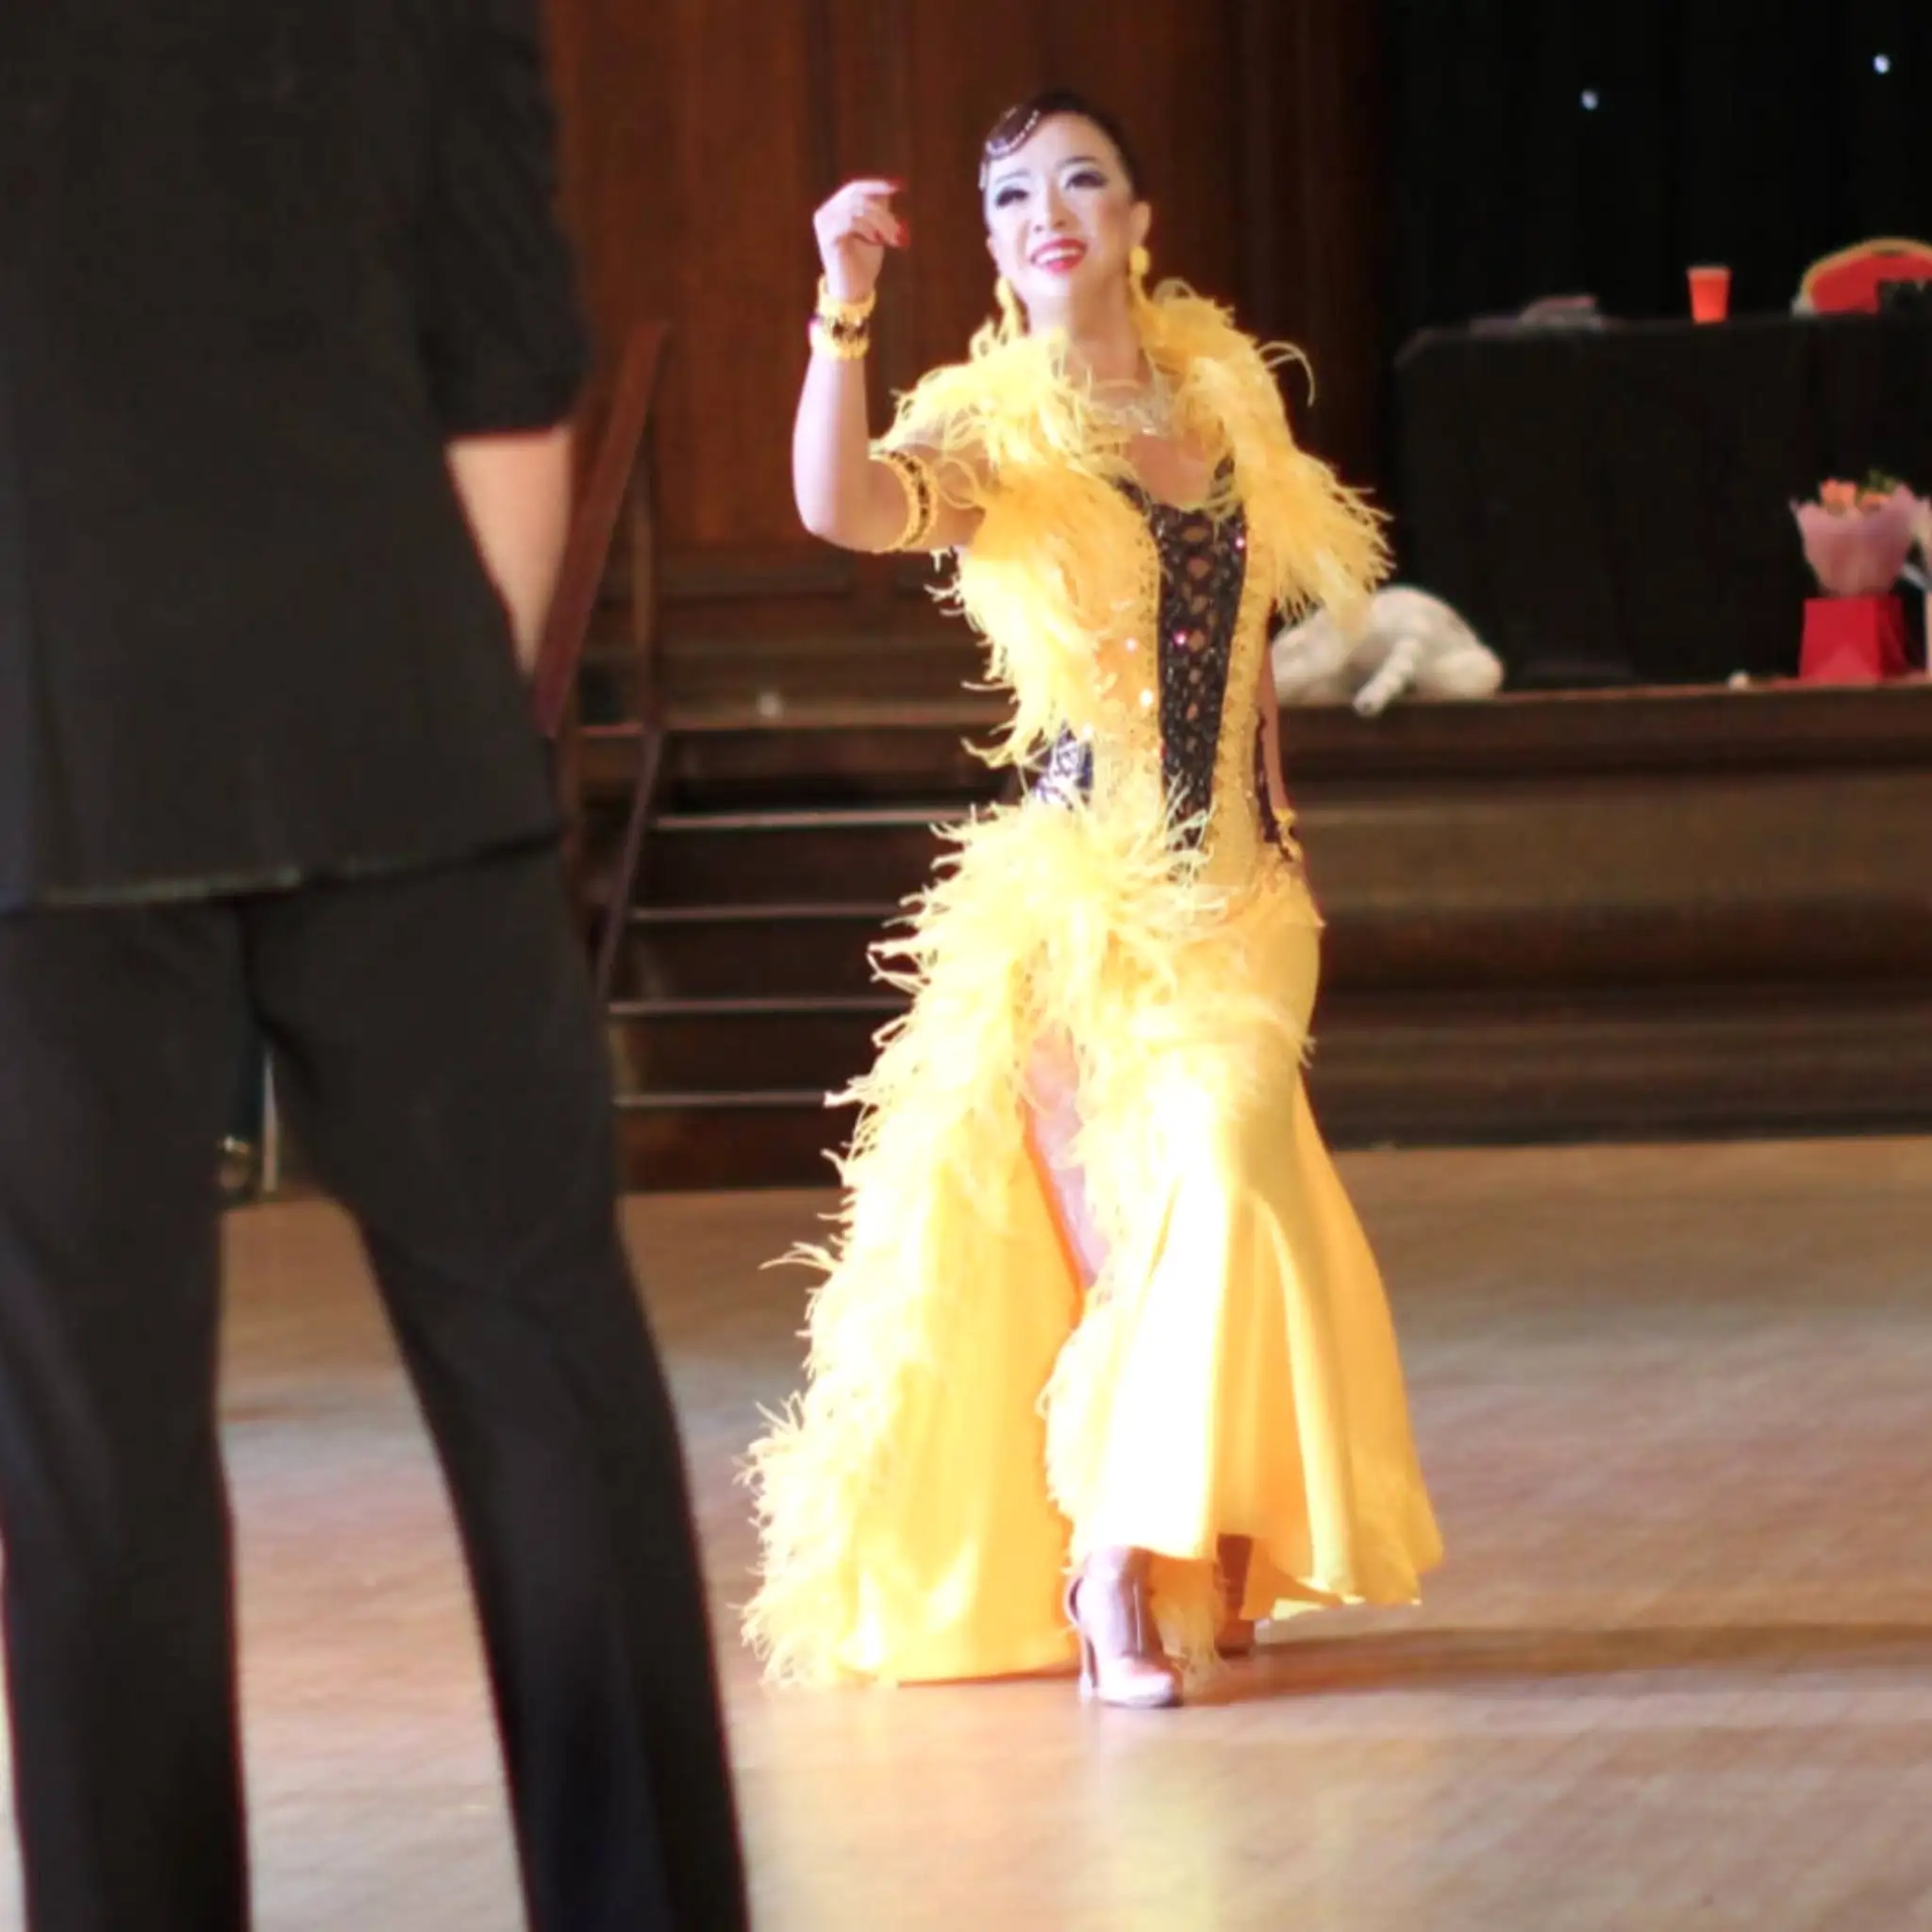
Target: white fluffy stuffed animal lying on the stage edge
<point>1409,644</point>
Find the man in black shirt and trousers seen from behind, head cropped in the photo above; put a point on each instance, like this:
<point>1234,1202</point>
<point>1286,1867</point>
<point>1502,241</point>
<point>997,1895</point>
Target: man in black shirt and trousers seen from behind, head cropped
<point>285,345</point>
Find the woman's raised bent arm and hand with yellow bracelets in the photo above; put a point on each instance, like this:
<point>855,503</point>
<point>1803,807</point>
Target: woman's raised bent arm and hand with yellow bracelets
<point>845,494</point>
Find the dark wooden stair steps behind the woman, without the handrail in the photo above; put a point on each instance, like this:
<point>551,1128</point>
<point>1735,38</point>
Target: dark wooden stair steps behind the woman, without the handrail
<point>739,984</point>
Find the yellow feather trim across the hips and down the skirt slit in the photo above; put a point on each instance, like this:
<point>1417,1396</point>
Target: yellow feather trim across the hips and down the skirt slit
<point>1042,924</point>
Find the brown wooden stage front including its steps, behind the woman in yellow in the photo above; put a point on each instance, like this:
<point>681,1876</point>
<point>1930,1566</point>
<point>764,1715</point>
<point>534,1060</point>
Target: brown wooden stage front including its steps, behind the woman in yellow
<point>1620,915</point>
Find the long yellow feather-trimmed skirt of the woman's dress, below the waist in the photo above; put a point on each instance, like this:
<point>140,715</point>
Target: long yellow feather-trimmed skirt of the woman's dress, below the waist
<point>977,1419</point>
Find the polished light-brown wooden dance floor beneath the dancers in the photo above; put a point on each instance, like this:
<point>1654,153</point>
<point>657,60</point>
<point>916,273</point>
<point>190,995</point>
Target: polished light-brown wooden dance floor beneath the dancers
<point>1678,1413</point>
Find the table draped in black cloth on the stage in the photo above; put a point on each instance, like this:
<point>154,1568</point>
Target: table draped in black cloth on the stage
<point>1612,505</point>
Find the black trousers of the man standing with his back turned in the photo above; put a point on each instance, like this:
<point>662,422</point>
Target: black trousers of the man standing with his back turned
<point>441,1060</point>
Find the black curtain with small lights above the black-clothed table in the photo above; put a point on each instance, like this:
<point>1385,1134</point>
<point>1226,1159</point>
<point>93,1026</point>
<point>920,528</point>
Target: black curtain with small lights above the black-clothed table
<point>1751,132</point>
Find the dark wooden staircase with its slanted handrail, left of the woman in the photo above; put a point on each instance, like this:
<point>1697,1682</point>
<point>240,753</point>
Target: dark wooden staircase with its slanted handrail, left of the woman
<point>749,812</point>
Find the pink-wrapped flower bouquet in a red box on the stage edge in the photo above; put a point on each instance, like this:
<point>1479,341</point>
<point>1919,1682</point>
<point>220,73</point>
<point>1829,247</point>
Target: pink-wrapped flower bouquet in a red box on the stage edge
<point>1858,540</point>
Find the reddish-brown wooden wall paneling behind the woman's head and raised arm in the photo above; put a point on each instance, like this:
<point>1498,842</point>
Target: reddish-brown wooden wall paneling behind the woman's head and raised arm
<point>702,134</point>
